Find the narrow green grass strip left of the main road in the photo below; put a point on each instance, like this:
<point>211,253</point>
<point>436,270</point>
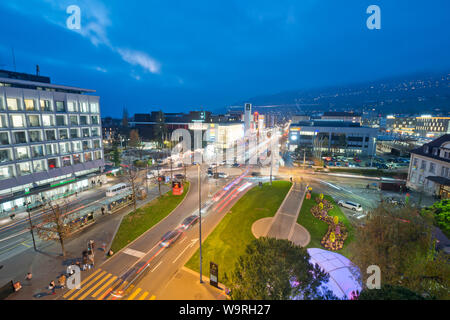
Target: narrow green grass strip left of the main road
<point>136,223</point>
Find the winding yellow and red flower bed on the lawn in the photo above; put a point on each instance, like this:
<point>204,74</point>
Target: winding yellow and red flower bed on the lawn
<point>337,232</point>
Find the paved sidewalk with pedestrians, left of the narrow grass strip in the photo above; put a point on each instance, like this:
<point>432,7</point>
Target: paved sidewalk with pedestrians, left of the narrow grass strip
<point>48,264</point>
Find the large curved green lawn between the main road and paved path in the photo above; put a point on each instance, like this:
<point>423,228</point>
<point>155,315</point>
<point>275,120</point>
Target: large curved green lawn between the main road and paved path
<point>230,238</point>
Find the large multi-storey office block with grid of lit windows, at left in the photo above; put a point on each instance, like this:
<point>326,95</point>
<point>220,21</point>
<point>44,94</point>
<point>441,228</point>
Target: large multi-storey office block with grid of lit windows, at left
<point>50,140</point>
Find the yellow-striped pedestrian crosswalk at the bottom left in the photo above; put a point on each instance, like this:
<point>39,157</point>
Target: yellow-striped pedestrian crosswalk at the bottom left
<point>102,285</point>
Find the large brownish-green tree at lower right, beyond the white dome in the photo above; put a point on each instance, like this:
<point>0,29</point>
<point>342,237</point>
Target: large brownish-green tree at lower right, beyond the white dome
<point>399,241</point>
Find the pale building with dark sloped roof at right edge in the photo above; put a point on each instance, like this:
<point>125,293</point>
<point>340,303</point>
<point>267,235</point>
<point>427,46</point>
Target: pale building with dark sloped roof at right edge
<point>429,168</point>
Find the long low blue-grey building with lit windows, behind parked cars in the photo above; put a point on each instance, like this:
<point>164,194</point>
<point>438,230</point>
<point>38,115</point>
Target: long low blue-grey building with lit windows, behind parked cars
<point>337,137</point>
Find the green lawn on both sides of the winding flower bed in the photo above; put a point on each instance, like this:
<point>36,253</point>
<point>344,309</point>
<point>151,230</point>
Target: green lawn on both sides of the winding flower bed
<point>318,228</point>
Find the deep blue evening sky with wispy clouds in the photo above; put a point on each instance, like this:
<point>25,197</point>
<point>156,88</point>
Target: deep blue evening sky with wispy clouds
<point>185,55</point>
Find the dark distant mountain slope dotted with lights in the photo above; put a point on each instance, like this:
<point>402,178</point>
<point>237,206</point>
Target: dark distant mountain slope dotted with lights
<point>408,95</point>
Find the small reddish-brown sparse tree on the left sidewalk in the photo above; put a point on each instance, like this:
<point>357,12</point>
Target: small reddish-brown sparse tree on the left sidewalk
<point>53,226</point>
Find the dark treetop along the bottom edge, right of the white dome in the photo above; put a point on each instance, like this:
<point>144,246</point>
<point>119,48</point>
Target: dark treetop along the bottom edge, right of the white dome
<point>388,292</point>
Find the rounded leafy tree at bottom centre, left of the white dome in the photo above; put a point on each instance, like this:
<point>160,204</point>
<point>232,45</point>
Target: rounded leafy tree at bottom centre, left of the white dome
<point>273,269</point>
